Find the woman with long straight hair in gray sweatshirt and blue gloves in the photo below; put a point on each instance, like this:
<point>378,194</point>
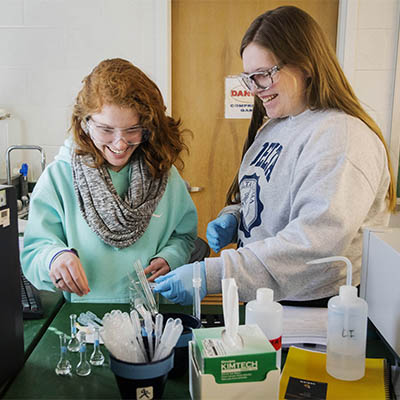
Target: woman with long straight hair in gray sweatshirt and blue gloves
<point>315,170</point>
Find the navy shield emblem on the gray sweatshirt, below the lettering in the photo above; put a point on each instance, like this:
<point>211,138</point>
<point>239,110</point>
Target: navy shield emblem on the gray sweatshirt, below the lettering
<point>250,213</point>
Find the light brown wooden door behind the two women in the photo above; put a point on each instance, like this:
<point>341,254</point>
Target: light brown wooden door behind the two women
<point>206,36</point>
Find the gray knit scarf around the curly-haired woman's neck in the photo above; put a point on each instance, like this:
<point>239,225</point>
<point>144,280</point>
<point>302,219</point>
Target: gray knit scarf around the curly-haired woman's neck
<point>118,222</point>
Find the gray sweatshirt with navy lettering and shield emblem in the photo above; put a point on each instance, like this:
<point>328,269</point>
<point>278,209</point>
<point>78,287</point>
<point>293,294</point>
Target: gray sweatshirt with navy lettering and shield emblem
<point>309,184</point>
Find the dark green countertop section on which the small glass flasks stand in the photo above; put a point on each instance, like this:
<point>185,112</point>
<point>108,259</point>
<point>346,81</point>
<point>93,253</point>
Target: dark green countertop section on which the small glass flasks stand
<point>38,379</point>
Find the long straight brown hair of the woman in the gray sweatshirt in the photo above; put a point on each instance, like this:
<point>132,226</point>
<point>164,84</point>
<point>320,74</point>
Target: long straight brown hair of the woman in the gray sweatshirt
<point>295,38</point>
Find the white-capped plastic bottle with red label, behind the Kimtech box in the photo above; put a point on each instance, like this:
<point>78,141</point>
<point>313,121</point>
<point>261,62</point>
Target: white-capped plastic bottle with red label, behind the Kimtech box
<point>267,314</point>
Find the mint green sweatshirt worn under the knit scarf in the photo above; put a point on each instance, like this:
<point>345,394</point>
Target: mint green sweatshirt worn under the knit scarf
<point>55,223</point>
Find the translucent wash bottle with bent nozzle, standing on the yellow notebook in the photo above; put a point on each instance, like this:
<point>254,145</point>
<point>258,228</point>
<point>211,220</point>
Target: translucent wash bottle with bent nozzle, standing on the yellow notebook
<point>347,330</point>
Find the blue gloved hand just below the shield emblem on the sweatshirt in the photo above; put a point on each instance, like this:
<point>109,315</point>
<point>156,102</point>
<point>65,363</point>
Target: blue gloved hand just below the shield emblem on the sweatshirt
<point>221,231</point>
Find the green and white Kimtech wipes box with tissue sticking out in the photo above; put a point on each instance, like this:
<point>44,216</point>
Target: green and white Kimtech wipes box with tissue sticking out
<point>248,363</point>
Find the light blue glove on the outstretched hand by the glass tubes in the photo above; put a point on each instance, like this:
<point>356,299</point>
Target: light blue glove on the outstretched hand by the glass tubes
<point>177,285</point>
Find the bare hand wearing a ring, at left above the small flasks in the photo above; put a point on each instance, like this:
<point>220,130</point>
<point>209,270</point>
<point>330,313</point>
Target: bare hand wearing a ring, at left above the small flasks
<point>68,274</point>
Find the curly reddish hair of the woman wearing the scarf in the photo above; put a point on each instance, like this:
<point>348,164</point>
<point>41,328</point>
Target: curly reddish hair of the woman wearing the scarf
<point>119,82</point>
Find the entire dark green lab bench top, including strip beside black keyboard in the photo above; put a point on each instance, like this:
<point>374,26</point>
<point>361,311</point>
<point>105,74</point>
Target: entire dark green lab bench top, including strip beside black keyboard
<point>38,380</point>
